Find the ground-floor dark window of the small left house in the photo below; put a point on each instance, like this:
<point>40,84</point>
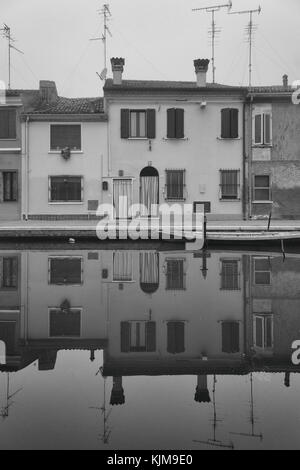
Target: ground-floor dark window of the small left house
<point>66,189</point>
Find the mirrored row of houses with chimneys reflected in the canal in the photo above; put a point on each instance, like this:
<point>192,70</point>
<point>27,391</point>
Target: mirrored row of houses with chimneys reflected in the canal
<point>153,313</point>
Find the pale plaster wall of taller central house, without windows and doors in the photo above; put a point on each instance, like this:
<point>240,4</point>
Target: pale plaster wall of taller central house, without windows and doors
<point>202,154</point>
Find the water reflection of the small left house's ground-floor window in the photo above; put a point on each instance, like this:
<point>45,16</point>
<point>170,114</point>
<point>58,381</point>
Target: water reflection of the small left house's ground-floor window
<point>64,271</point>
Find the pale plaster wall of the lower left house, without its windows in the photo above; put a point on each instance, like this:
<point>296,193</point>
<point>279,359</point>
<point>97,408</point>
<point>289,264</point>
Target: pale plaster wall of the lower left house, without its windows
<point>43,164</point>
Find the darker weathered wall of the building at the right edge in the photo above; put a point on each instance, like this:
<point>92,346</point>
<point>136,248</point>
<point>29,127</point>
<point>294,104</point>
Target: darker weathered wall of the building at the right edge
<point>280,161</point>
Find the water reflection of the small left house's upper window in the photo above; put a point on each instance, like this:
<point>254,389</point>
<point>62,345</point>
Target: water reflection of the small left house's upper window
<point>65,324</point>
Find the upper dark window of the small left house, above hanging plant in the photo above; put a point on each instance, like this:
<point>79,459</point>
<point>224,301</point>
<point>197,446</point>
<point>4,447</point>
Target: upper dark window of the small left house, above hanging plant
<point>63,136</point>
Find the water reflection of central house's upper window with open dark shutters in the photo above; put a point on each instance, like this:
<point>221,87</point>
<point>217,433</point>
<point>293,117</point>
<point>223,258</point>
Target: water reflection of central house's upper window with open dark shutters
<point>139,336</point>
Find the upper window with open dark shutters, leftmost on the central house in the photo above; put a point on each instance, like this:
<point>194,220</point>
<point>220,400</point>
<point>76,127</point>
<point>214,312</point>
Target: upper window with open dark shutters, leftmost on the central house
<point>138,124</point>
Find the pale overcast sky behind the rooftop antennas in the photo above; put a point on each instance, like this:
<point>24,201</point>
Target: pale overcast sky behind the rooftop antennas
<point>159,39</point>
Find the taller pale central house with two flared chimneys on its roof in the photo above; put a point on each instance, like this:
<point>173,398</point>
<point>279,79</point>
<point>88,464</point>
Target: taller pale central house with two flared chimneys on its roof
<point>174,143</point>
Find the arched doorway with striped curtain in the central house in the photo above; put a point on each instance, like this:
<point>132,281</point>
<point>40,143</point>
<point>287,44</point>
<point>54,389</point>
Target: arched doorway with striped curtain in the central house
<point>149,192</point>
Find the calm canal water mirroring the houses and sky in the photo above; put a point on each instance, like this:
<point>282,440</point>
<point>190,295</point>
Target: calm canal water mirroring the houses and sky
<point>148,349</point>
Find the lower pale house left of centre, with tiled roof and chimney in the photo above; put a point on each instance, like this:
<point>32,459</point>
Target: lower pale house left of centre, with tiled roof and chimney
<point>64,142</point>
